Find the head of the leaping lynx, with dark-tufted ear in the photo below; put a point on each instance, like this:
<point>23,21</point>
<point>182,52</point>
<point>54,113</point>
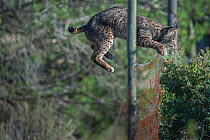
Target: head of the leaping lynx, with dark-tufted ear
<point>168,34</point>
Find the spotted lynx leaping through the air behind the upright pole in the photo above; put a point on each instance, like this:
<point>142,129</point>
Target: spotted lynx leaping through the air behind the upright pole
<point>105,26</point>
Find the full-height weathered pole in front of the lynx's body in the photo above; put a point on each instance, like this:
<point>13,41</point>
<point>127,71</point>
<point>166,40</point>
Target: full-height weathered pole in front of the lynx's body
<point>131,49</point>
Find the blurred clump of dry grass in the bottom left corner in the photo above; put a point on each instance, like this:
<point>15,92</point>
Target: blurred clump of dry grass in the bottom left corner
<point>38,120</point>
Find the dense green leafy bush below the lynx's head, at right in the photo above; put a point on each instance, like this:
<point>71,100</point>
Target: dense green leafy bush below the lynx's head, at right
<point>185,104</point>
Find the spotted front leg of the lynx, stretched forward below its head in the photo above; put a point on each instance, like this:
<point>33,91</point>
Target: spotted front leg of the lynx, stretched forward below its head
<point>149,43</point>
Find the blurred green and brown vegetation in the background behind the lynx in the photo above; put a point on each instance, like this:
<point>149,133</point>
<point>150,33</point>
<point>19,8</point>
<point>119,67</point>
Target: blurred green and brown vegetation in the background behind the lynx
<point>50,88</point>
